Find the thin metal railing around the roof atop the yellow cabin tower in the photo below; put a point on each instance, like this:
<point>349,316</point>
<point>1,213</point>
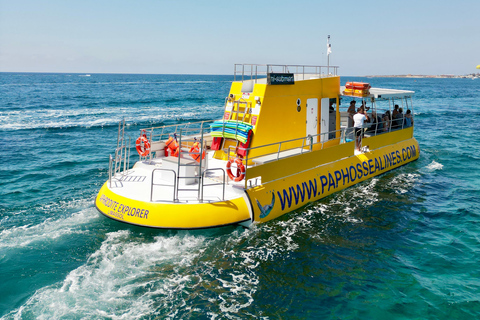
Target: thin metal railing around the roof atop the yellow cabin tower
<point>243,71</point>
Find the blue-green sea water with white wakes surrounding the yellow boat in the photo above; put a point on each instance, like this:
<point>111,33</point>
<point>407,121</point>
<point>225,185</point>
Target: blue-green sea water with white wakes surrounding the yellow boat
<point>404,245</point>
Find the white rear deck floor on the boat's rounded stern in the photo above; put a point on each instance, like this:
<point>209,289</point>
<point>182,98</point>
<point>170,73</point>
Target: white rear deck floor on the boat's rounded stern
<point>136,183</point>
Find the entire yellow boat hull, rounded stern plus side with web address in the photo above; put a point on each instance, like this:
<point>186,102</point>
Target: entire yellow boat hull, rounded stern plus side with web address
<point>288,184</point>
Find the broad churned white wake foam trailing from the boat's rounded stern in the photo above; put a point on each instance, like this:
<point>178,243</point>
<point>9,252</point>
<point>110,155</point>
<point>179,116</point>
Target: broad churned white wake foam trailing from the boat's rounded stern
<point>125,278</point>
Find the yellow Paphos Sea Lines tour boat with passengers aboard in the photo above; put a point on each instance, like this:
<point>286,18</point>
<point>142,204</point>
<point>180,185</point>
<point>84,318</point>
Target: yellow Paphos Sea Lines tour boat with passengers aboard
<point>286,139</point>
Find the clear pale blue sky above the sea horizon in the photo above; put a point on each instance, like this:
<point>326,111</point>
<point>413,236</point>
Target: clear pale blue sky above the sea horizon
<point>208,37</point>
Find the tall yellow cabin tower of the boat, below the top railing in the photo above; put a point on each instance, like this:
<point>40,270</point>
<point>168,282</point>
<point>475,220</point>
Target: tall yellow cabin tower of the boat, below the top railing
<point>281,112</point>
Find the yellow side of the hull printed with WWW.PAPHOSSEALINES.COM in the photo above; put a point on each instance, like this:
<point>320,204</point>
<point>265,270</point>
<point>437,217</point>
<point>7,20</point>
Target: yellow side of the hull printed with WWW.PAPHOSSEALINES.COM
<point>279,196</point>
